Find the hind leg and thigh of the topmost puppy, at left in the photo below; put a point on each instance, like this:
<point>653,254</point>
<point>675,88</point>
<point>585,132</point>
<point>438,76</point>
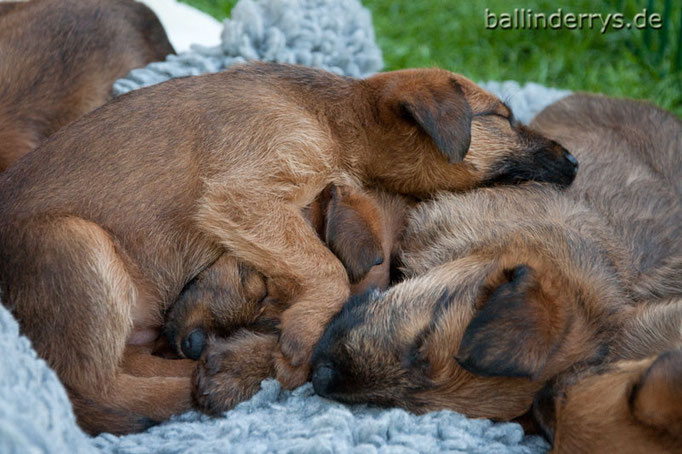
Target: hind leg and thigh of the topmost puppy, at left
<point>73,296</point>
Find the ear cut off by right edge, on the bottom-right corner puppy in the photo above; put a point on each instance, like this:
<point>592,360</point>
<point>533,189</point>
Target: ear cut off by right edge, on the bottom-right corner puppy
<point>656,400</point>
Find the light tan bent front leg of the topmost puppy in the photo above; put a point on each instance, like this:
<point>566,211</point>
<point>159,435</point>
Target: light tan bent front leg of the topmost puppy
<point>274,237</point>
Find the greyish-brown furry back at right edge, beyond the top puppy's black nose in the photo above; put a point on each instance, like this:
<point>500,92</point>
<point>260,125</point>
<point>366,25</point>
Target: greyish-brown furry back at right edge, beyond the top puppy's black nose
<point>630,157</point>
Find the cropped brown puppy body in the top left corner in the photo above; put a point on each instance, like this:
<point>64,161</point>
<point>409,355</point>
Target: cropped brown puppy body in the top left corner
<point>60,59</point>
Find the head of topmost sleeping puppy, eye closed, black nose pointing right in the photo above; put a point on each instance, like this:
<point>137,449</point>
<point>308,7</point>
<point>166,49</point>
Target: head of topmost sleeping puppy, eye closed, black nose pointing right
<point>458,132</point>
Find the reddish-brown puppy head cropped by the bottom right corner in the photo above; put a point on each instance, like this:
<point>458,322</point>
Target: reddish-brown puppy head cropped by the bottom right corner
<point>628,406</point>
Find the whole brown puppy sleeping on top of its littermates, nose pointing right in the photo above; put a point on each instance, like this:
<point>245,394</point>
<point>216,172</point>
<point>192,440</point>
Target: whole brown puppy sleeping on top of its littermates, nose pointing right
<point>194,167</point>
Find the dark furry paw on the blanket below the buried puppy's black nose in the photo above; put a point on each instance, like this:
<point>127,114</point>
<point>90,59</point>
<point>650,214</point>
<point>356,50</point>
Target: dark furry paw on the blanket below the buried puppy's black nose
<point>232,369</point>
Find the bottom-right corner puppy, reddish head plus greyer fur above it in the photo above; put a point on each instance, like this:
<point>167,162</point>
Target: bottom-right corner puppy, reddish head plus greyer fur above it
<point>631,405</point>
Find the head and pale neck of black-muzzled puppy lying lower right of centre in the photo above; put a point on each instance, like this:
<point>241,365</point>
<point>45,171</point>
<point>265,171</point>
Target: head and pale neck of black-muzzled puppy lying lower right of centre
<point>493,309</point>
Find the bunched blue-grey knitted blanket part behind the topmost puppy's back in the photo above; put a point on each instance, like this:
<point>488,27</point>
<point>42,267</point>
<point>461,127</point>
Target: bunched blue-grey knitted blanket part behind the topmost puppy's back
<point>335,35</point>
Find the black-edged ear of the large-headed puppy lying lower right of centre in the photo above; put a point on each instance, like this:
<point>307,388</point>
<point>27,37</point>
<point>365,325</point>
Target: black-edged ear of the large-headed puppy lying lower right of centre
<point>510,336</point>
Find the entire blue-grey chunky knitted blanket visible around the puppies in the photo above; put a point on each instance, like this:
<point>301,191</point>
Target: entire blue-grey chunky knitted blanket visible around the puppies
<point>35,414</point>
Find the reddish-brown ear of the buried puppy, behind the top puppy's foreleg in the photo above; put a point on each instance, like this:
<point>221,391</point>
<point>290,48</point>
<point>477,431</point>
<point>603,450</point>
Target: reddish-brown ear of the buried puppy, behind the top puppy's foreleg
<point>352,233</point>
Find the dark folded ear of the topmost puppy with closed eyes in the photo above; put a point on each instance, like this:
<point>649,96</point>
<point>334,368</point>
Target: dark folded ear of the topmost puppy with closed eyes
<point>445,117</point>
